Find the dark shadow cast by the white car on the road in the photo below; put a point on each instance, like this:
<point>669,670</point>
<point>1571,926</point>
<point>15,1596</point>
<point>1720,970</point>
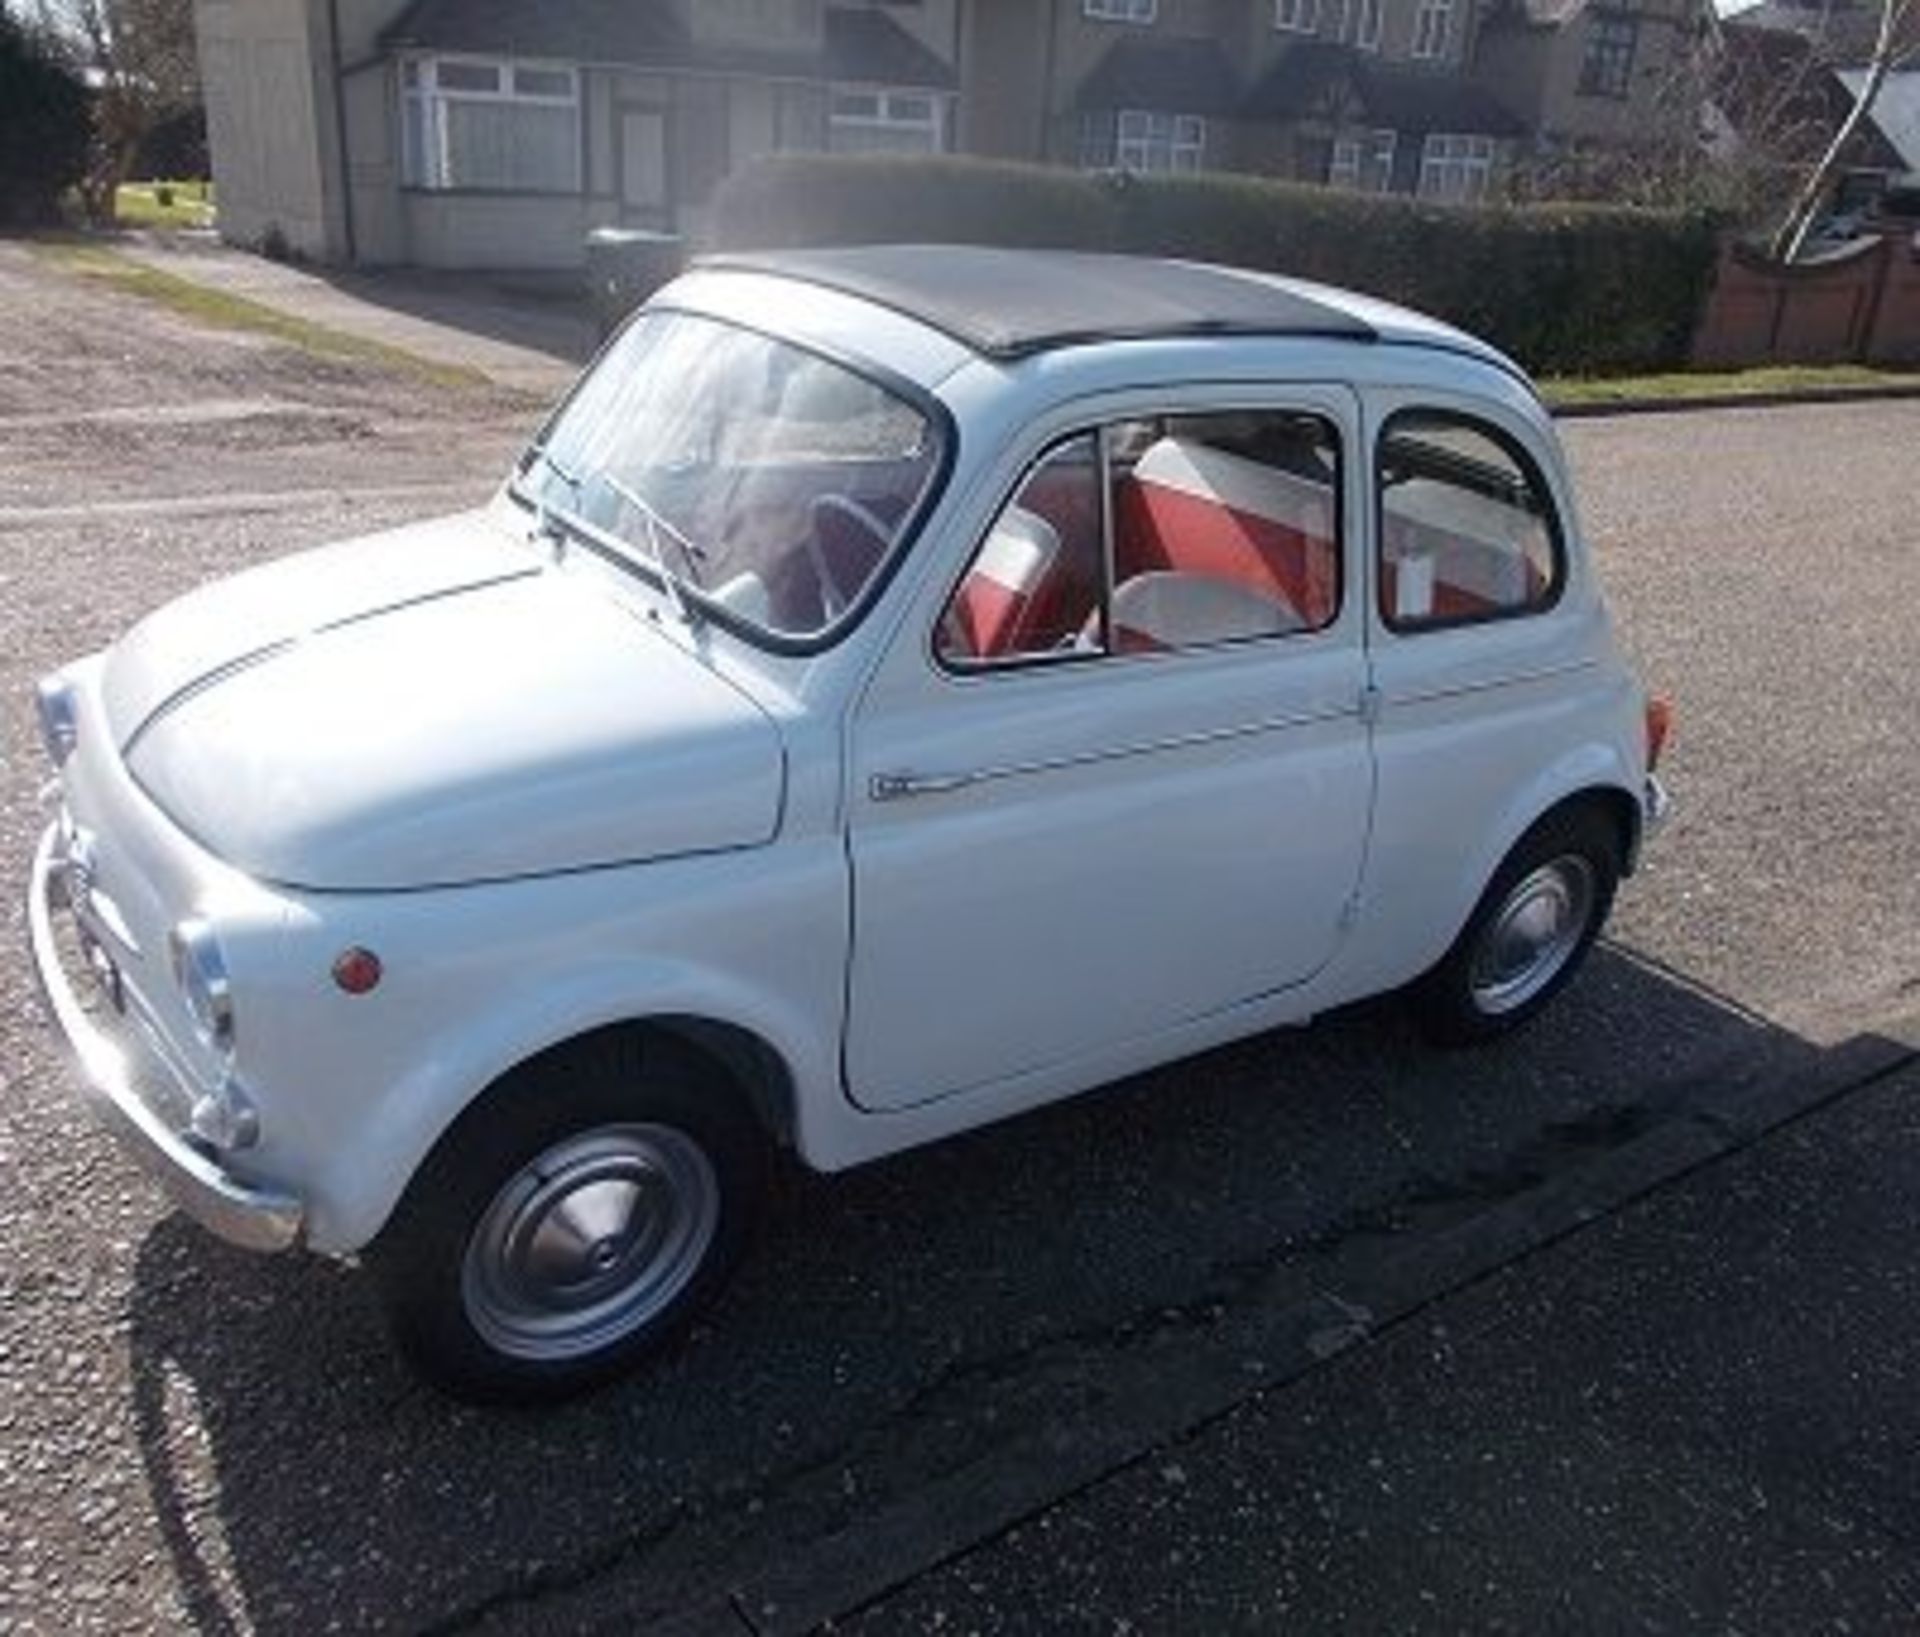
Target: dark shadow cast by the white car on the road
<point>894,1325</point>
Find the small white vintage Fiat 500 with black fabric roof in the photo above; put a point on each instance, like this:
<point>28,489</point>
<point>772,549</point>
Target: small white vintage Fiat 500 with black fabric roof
<point>896,690</point>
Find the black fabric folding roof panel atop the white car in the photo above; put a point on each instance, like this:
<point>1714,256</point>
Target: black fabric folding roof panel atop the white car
<point>1013,304</point>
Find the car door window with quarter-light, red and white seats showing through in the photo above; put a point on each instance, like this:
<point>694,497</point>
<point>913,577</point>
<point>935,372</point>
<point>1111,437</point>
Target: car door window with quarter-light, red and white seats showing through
<point>1159,533</point>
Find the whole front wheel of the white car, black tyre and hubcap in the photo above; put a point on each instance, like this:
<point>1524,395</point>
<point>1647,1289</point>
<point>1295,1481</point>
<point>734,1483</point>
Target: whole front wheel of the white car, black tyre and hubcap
<point>504,1285</point>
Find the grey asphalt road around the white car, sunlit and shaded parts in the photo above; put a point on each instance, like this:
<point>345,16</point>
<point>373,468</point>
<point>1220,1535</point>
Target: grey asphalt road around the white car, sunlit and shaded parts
<point>189,1435</point>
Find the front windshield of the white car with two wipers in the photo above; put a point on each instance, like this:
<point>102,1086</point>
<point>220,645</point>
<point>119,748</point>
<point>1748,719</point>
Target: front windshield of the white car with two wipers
<point>756,479</point>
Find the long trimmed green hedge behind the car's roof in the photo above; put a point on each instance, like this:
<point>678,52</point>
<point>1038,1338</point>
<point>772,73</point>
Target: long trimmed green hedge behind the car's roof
<point>1564,289</point>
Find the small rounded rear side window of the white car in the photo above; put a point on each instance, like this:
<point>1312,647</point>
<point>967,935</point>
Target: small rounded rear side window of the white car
<point>1468,527</point>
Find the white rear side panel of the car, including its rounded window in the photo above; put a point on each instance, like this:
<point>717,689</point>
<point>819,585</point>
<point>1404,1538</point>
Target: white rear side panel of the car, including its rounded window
<point>1487,652</point>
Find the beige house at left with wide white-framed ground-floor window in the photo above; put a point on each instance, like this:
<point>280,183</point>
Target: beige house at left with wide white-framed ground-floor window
<point>496,133</point>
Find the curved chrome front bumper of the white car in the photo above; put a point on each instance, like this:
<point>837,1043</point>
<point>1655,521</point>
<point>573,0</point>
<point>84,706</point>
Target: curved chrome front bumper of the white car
<point>245,1214</point>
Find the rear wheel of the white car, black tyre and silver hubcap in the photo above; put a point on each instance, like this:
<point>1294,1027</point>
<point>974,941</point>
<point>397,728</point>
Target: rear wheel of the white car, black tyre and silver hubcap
<point>1564,876</point>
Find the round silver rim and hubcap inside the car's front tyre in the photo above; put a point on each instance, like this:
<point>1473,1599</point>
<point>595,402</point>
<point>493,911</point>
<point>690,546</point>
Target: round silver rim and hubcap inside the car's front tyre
<point>590,1243</point>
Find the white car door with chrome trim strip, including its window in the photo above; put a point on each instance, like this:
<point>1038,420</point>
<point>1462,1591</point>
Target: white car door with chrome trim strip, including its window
<point>1115,776</point>
